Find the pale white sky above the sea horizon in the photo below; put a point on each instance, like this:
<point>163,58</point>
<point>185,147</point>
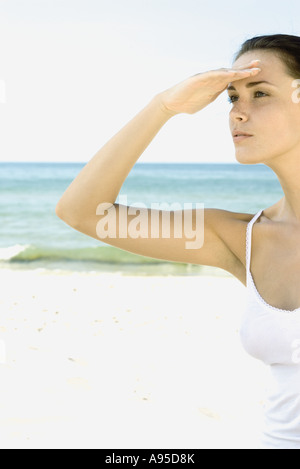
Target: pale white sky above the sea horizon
<point>74,72</point>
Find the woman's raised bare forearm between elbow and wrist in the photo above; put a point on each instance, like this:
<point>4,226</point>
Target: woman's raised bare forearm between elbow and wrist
<point>100,181</point>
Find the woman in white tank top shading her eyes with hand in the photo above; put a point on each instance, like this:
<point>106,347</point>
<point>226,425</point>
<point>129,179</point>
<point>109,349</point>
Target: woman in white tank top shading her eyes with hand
<point>265,123</point>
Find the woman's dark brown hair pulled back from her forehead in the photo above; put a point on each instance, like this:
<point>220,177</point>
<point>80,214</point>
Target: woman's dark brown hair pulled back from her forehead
<point>284,46</point>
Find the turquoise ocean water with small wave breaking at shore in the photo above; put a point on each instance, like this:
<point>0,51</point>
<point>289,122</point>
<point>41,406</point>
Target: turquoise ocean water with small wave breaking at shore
<point>32,236</point>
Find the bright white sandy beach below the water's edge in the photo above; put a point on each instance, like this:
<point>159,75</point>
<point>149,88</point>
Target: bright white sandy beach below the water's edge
<point>111,361</point>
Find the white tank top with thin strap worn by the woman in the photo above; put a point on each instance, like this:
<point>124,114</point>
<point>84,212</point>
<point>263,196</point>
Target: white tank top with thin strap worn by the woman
<point>272,335</point>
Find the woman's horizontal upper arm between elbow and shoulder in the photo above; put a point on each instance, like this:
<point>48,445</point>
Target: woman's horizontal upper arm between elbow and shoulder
<point>217,234</point>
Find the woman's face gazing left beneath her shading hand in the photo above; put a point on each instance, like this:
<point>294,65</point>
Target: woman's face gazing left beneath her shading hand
<point>267,111</point>
